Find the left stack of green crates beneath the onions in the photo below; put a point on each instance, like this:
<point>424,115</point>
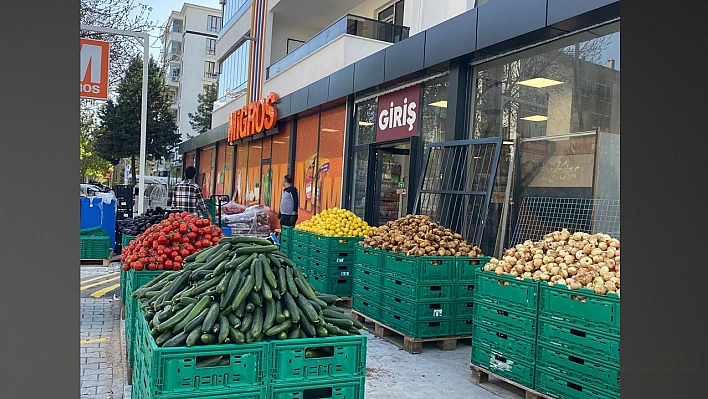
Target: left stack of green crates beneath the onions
<point>505,326</point>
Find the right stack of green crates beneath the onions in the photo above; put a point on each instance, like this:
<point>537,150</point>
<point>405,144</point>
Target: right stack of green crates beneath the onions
<point>578,352</point>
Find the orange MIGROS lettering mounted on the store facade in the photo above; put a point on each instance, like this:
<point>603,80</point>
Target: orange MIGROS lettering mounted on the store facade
<point>254,118</point>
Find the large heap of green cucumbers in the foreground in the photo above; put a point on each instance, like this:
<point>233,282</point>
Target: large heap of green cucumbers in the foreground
<point>243,290</point>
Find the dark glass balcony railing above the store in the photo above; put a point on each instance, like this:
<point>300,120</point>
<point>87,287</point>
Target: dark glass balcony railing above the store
<point>347,25</point>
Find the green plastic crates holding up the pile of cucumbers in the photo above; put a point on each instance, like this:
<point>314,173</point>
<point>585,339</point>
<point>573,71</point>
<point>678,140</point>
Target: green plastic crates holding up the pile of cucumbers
<point>272,369</point>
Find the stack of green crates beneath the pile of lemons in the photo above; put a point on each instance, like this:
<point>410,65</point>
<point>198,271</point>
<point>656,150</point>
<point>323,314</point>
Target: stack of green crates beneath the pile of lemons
<point>327,261</point>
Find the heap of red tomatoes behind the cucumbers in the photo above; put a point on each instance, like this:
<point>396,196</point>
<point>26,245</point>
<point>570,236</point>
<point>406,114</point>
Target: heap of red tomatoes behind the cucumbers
<point>164,246</point>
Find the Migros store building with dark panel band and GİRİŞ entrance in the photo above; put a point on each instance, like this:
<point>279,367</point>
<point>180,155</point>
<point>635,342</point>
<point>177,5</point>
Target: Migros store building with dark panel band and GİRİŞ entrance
<point>365,90</point>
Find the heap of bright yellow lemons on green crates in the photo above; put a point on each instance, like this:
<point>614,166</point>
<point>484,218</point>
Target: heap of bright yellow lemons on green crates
<point>335,222</point>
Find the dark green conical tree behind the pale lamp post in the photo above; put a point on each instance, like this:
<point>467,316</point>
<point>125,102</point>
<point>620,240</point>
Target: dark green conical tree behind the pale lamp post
<point>120,121</point>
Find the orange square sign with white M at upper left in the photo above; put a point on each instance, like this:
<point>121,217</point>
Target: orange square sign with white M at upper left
<point>94,69</point>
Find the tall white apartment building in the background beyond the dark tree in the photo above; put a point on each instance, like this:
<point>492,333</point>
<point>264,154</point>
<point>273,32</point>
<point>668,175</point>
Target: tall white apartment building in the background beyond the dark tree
<point>189,55</point>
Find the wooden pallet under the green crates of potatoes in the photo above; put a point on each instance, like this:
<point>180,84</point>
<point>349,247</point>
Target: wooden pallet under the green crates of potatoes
<point>403,341</point>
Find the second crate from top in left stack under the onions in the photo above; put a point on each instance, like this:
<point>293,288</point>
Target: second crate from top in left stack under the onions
<point>505,321</point>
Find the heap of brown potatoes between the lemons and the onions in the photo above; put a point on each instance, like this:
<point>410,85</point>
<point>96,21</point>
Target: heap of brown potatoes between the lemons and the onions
<point>417,235</point>
